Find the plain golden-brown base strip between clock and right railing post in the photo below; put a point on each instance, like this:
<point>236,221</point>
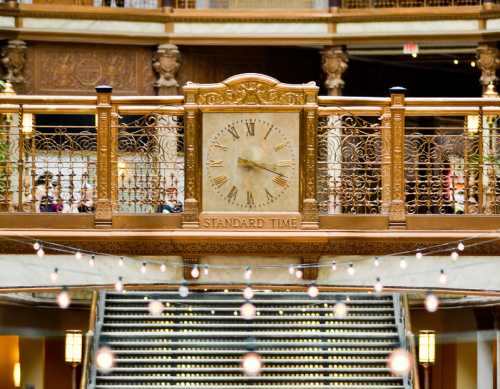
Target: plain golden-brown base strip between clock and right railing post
<point>354,222</point>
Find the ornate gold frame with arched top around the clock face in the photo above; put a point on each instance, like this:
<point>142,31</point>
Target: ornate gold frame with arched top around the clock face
<point>251,93</point>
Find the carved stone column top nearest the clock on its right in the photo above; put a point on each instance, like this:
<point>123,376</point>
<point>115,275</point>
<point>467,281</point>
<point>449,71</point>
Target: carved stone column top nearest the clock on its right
<point>334,64</point>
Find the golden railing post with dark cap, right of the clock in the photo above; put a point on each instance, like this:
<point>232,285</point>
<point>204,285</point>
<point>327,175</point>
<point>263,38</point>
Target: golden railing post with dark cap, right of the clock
<point>397,213</point>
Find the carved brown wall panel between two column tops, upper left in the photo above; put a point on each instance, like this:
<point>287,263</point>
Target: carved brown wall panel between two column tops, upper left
<point>78,69</point>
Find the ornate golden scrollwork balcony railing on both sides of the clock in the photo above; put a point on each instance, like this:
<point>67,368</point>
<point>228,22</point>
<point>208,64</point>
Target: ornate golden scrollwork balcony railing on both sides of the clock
<point>396,158</point>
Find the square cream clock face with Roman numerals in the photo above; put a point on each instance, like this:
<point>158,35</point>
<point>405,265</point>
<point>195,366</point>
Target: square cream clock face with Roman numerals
<point>251,164</point>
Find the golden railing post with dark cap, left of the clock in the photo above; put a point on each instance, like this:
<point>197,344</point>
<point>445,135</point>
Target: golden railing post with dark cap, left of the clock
<point>104,207</point>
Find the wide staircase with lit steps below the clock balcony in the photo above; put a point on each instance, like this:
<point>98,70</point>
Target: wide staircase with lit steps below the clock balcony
<point>198,341</point>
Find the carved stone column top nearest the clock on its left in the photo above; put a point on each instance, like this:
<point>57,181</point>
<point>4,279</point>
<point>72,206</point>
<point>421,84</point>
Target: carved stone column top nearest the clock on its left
<point>166,63</point>
